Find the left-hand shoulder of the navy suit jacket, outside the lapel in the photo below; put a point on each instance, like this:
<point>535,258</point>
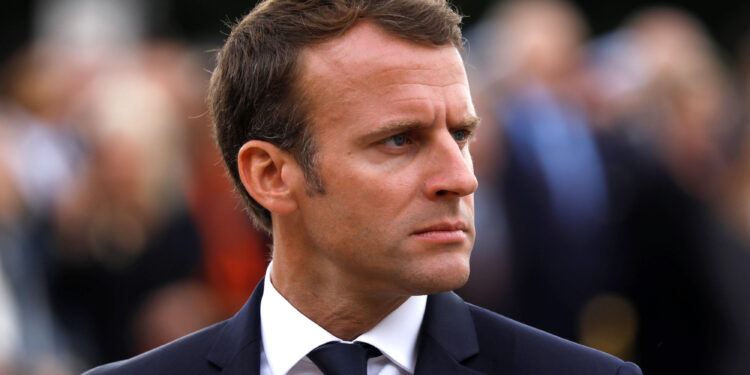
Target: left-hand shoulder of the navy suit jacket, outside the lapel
<point>186,355</point>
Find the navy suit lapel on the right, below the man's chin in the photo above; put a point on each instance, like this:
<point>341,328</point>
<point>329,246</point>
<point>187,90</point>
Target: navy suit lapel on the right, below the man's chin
<point>448,337</point>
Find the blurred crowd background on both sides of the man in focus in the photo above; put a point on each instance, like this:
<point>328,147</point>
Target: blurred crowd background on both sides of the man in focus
<point>613,160</point>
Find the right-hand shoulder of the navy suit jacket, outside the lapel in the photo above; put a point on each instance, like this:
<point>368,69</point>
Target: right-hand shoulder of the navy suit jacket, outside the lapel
<point>527,350</point>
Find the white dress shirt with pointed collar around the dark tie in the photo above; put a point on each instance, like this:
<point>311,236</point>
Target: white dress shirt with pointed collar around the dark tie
<point>288,336</point>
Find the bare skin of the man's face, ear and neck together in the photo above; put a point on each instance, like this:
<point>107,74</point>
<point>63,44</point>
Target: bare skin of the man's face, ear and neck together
<point>392,121</point>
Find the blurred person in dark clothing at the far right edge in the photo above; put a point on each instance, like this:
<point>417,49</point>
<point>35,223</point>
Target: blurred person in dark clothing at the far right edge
<point>670,119</point>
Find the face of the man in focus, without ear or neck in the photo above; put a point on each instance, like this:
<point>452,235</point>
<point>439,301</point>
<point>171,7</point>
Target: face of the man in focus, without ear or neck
<point>392,122</point>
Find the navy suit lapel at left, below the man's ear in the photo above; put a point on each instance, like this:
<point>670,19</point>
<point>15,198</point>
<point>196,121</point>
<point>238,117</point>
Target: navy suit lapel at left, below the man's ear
<point>237,347</point>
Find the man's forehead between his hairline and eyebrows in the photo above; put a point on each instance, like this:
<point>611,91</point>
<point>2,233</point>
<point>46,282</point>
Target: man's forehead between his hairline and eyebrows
<point>368,58</point>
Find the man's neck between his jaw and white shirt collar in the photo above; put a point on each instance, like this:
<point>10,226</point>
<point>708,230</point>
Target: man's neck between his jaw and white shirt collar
<point>344,307</point>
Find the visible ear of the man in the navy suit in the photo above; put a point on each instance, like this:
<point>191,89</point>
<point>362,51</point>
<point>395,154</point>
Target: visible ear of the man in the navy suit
<point>268,175</point>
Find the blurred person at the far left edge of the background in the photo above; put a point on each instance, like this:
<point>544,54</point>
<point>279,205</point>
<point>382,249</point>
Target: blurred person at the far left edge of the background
<point>40,154</point>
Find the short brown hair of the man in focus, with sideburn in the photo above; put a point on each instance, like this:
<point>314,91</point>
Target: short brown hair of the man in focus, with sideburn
<point>253,93</point>
